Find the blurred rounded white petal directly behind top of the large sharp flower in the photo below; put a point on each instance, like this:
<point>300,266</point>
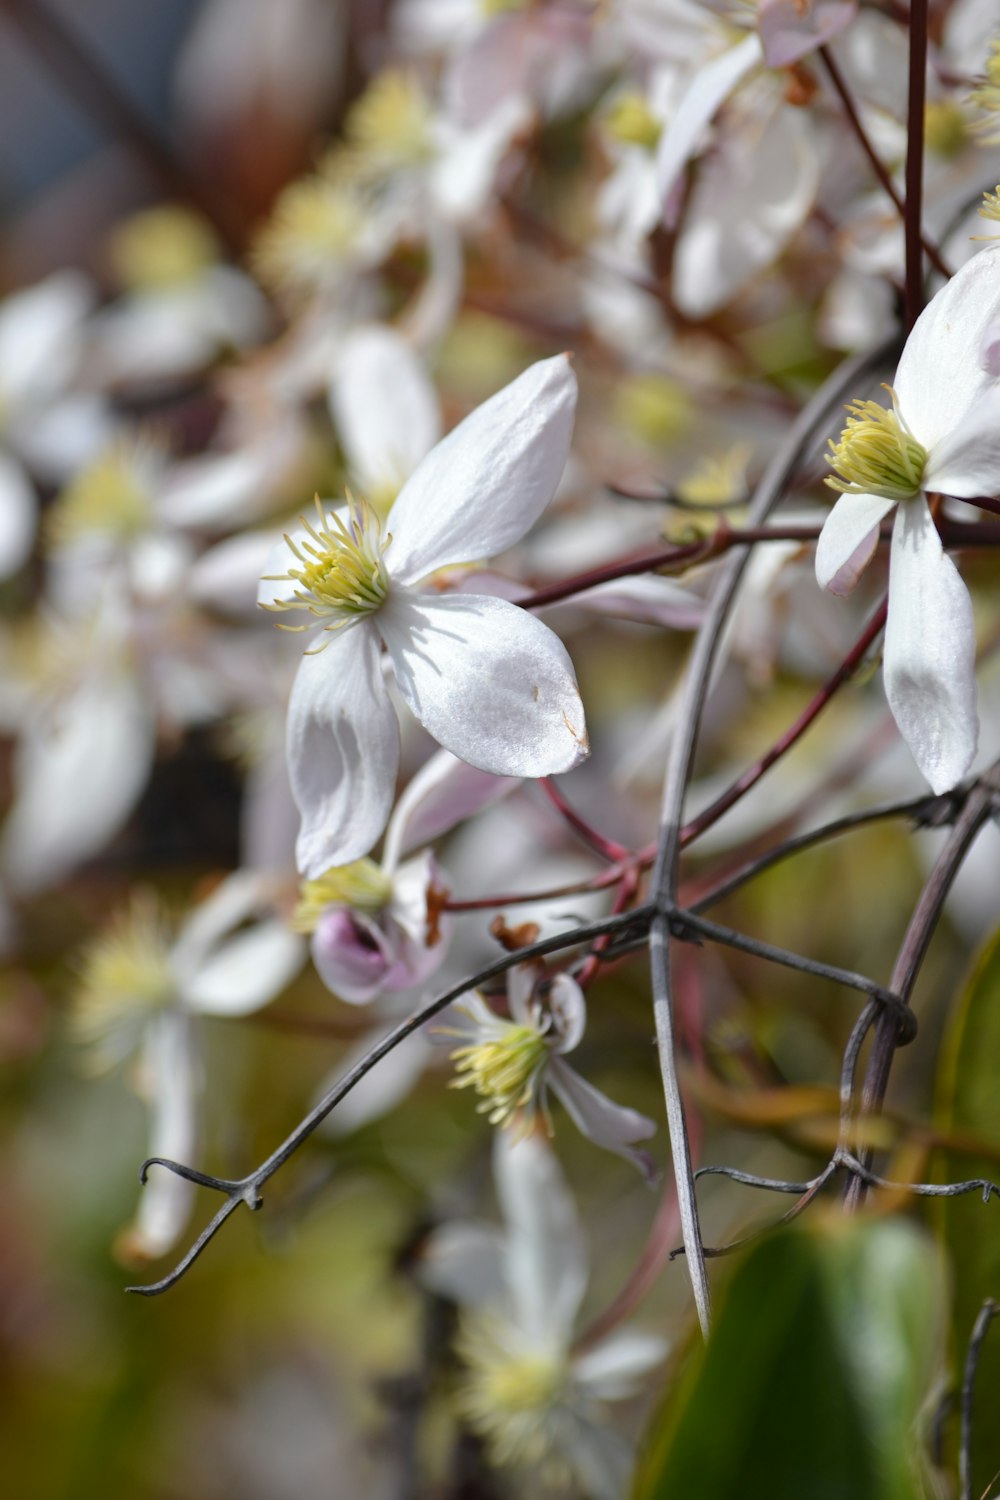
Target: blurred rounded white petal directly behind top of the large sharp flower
<point>386,409</point>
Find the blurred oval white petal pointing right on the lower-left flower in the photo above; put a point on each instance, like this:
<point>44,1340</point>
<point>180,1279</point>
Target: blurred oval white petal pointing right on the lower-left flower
<point>247,973</point>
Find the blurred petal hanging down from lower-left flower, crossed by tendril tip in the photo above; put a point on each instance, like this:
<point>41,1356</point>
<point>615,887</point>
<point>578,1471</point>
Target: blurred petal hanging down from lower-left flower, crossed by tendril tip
<point>170,1072</point>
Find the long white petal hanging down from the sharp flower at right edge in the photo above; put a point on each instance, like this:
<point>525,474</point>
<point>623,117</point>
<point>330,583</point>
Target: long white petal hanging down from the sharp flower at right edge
<point>930,653</point>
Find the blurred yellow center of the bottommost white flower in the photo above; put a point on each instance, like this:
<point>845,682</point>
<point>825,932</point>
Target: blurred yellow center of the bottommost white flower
<point>513,1396</point>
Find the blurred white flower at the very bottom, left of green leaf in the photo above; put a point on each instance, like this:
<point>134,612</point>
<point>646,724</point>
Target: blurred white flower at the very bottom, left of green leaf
<point>537,1405</point>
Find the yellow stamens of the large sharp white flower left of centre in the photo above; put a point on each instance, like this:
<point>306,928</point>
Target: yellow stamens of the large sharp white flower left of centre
<point>341,572</point>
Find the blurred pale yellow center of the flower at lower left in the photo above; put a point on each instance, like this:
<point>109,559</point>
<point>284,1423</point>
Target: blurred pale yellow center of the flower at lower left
<point>125,976</point>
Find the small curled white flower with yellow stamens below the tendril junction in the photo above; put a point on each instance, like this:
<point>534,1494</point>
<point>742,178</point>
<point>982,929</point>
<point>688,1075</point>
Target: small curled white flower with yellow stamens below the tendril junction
<point>513,1063</point>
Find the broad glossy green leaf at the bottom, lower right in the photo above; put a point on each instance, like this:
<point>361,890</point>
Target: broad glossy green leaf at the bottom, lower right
<point>822,1357</point>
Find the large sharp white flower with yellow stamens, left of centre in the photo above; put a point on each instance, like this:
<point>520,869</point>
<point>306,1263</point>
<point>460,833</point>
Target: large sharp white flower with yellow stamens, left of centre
<point>488,680</point>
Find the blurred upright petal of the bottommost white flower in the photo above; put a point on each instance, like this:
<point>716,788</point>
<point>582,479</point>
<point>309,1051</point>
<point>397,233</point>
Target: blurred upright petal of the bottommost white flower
<point>546,1259</point>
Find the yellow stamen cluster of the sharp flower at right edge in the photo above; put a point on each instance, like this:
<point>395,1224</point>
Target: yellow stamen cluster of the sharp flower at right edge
<point>876,454</point>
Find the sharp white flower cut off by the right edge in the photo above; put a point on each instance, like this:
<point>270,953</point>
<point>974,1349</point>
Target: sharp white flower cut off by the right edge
<point>941,436</point>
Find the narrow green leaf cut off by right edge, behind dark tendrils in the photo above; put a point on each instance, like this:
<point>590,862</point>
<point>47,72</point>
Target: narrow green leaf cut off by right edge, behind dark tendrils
<point>969,1105</point>
